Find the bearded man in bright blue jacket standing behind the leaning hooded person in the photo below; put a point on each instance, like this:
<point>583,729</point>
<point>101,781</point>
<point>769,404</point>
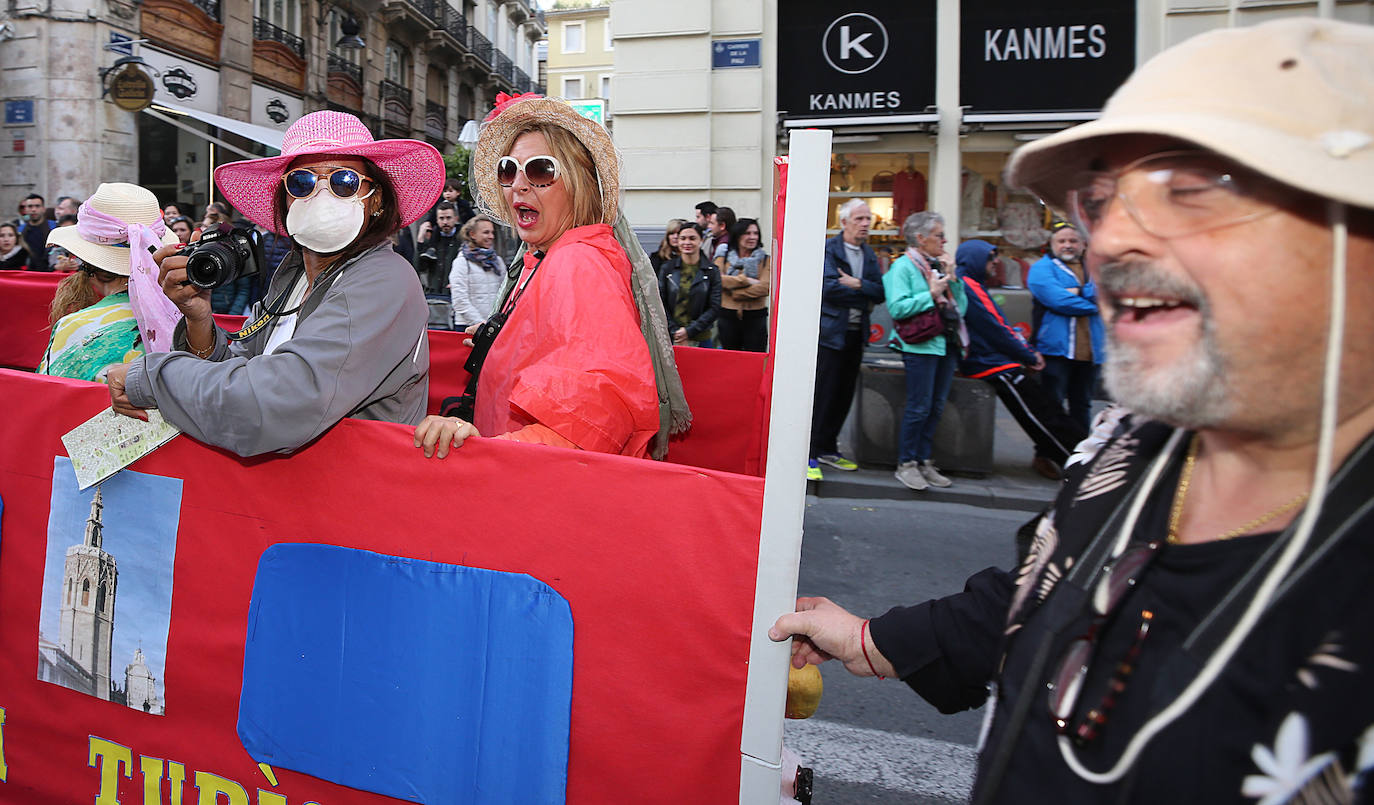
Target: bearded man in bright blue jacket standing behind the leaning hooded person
<point>1070,333</point>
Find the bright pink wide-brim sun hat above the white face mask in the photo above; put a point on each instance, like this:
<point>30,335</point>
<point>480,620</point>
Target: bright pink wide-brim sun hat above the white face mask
<point>416,168</point>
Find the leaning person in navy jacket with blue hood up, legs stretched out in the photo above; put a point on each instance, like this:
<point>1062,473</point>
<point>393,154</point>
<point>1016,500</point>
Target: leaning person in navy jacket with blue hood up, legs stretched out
<point>1000,356</point>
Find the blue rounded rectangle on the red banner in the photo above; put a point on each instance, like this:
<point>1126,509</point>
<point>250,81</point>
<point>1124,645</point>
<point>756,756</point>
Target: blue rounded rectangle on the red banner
<point>420,681</point>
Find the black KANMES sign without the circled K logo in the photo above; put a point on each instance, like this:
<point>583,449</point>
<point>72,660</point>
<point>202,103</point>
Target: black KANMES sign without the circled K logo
<point>1068,56</point>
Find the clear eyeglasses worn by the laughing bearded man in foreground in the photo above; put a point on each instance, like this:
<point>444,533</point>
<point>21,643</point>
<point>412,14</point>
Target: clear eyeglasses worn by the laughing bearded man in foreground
<point>1173,194</point>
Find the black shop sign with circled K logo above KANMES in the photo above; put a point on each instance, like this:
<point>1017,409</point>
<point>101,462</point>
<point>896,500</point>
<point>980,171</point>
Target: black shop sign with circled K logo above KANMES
<point>846,60</point>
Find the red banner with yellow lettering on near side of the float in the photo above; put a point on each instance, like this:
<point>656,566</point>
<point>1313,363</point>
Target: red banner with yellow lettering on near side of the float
<point>657,563</point>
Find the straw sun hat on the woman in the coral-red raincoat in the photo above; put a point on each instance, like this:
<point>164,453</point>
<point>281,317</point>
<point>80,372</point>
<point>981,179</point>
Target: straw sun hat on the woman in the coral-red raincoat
<point>517,113</point>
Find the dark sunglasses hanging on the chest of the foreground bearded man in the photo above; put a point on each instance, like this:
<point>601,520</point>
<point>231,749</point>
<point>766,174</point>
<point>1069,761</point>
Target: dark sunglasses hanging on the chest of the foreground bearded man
<point>1067,683</point>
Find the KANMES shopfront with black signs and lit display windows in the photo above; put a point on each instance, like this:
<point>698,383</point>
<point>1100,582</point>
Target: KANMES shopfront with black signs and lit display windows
<point>930,98</point>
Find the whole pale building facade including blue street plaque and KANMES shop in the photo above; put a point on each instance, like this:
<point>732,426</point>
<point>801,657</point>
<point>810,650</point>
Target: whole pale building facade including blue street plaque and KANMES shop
<point>927,98</point>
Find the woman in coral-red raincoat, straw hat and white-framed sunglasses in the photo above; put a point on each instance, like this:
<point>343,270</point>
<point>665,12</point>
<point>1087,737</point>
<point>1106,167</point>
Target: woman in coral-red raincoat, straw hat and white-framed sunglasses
<point>576,352</point>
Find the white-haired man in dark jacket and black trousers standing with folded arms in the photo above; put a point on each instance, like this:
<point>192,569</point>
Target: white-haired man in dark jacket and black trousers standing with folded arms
<point>853,285</point>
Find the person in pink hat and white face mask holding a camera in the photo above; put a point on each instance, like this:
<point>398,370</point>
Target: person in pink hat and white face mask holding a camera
<point>343,328</point>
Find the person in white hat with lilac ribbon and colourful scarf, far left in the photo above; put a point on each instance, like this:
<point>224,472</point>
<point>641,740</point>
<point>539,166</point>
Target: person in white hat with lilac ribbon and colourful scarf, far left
<point>95,322</point>
